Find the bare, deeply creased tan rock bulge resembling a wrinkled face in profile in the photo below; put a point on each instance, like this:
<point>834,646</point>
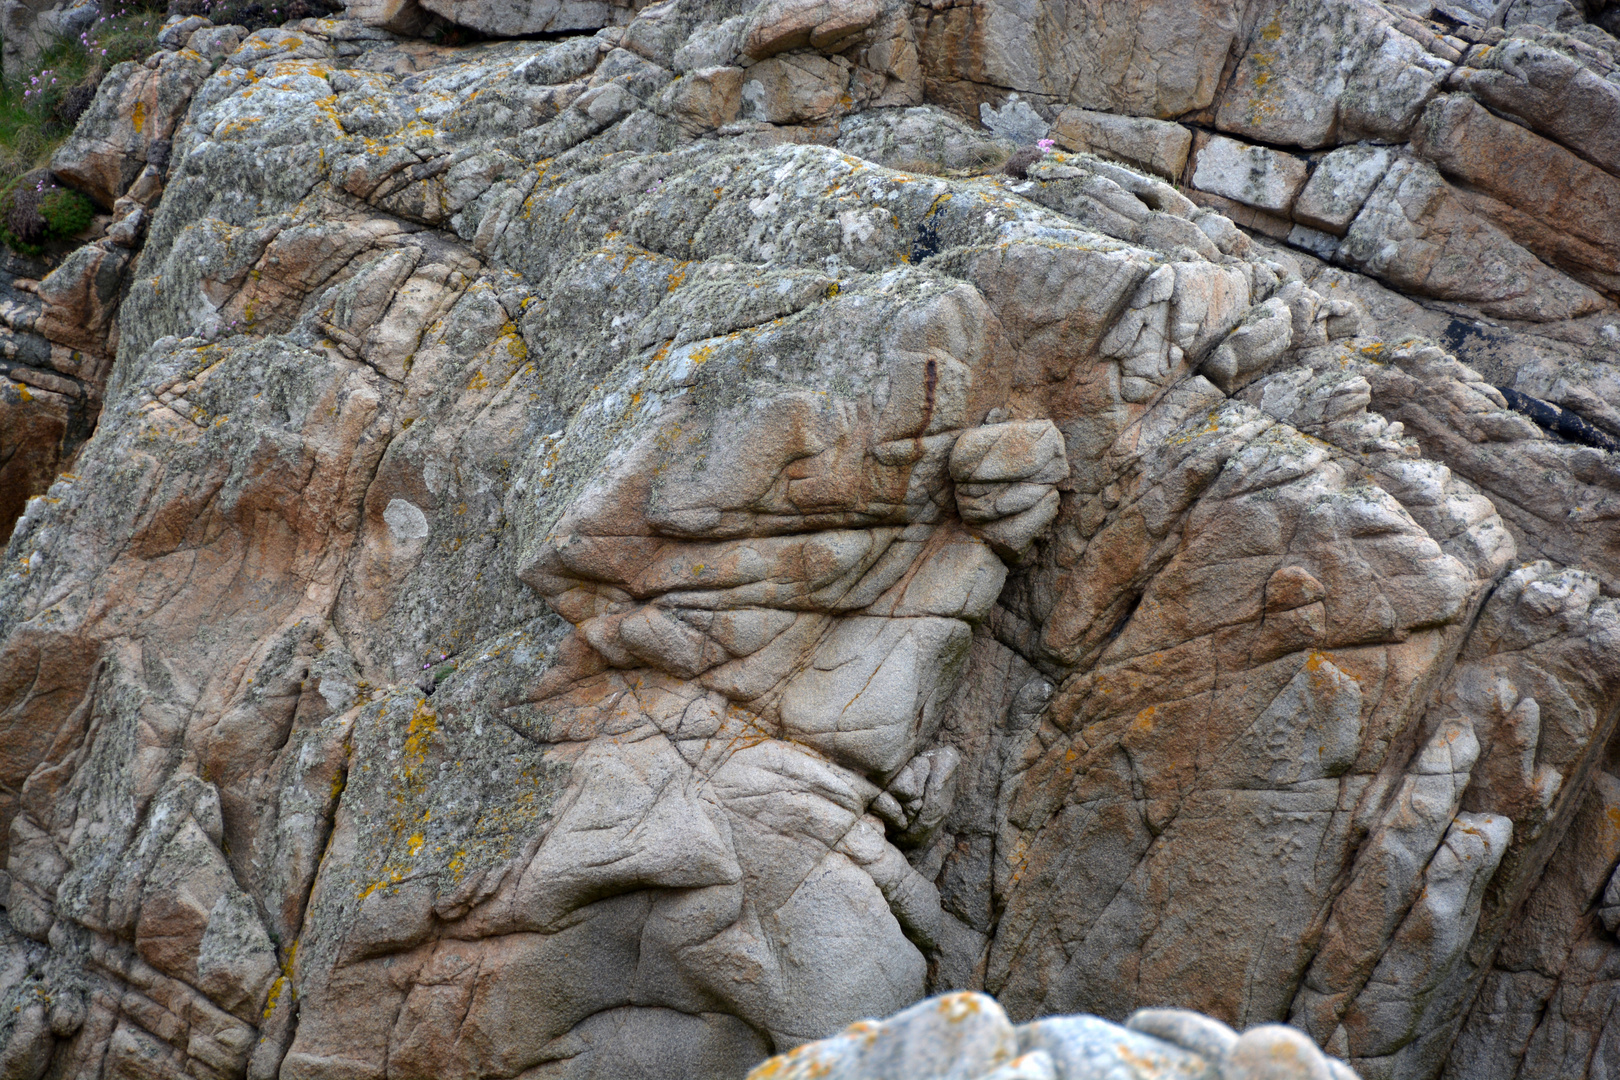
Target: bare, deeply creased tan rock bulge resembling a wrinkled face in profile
<point>772,602</point>
